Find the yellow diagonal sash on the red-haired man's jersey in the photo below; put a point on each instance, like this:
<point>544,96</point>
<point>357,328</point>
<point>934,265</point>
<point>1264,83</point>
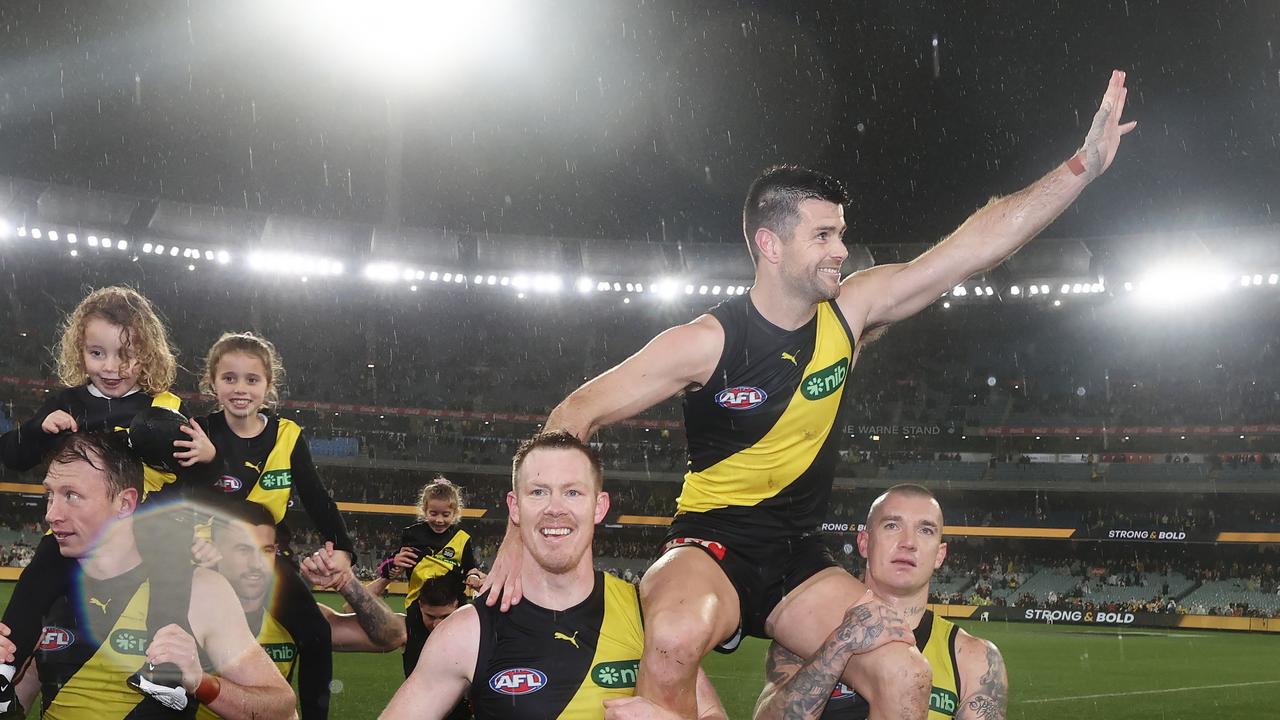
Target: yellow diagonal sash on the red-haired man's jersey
<point>618,655</point>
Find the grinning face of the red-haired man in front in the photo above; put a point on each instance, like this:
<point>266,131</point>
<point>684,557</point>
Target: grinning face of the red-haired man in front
<point>556,505</point>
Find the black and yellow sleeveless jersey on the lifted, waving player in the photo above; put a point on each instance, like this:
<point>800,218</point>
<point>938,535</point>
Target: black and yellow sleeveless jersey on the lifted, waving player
<point>765,431</point>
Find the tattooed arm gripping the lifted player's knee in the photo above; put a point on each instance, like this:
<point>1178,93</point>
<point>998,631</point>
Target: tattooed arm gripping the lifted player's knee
<point>797,689</point>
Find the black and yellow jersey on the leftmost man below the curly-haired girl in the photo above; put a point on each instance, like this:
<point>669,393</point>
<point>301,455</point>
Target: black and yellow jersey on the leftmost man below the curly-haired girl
<point>94,639</point>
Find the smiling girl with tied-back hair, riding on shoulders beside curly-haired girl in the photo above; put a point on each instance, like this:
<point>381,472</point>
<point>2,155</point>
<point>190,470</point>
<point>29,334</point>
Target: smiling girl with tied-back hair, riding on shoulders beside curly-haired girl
<point>266,459</point>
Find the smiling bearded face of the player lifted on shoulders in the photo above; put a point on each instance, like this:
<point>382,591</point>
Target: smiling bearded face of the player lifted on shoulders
<point>811,259</point>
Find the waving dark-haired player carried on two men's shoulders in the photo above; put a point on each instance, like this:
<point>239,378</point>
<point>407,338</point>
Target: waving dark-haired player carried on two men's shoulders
<point>764,382</point>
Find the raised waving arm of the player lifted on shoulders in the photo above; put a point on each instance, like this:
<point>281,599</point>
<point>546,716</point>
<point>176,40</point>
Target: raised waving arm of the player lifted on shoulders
<point>893,293</point>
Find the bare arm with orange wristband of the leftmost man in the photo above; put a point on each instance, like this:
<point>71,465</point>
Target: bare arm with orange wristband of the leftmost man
<point>252,686</point>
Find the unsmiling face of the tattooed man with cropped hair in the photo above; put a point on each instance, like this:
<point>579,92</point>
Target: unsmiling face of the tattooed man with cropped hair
<point>903,543</point>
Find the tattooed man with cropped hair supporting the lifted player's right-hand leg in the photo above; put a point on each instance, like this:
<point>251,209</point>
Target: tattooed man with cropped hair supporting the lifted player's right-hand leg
<point>903,546</point>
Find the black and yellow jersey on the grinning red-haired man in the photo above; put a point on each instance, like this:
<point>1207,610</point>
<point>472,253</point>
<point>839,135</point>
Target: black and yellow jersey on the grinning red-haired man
<point>538,664</point>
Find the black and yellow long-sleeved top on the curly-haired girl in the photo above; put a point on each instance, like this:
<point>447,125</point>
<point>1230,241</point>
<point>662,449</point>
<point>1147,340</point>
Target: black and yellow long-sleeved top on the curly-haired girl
<point>26,446</point>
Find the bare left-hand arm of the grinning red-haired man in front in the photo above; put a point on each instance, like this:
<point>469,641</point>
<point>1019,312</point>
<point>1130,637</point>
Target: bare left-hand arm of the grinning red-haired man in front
<point>444,672</point>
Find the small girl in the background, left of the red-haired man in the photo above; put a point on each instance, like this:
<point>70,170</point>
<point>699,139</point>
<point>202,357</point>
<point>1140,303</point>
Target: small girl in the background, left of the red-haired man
<point>433,548</point>
